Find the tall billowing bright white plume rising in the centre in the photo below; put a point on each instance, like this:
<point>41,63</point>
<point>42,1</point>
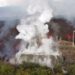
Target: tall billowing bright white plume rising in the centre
<point>33,32</point>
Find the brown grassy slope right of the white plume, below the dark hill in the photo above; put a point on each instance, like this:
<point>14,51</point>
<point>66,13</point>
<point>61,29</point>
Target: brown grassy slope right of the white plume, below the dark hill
<point>68,51</point>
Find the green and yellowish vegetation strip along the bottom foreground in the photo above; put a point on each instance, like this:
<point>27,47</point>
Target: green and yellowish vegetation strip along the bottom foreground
<point>34,69</point>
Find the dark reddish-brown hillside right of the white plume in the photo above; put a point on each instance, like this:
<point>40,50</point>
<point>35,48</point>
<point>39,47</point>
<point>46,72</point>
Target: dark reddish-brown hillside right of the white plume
<point>62,28</point>
